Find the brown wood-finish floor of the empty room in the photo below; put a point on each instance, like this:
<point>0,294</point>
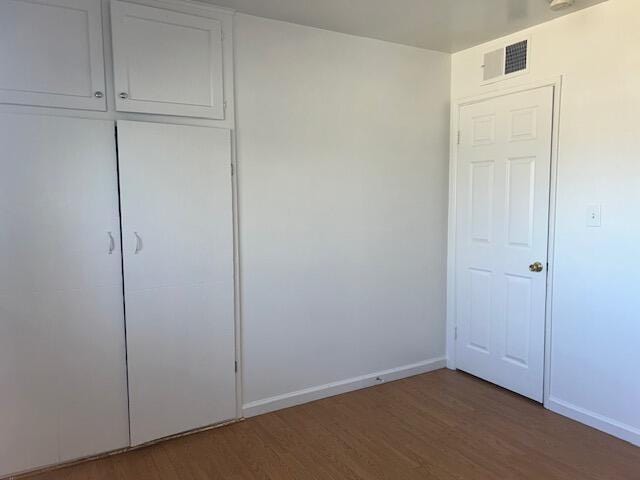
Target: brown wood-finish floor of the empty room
<point>442,425</point>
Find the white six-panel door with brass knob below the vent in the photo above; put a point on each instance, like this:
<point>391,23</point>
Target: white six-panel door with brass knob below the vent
<point>502,190</point>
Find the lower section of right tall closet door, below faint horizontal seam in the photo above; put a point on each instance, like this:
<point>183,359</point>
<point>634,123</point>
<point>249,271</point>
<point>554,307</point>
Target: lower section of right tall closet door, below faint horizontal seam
<point>180,360</point>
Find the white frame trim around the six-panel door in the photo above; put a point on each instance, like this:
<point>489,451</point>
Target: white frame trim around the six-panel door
<point>556,84</point>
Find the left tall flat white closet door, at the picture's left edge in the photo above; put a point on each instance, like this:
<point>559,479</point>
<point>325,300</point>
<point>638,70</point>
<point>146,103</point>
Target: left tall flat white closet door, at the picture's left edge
<point>63,390</point>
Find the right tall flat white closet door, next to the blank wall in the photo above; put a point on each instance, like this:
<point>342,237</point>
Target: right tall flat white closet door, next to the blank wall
<point>175,184</point>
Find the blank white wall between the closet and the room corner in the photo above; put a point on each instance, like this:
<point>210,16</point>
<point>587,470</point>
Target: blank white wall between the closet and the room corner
<point>342,153</point>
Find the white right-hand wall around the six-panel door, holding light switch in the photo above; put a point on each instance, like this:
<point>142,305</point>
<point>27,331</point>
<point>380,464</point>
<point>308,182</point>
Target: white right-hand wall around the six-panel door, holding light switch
<point>595,356</point>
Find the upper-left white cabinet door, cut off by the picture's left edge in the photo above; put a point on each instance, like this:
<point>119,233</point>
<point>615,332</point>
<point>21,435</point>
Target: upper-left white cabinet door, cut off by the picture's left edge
<point>51,53</point>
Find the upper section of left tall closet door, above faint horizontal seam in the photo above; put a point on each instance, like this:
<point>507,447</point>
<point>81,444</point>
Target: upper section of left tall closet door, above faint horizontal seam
<point>57,173</point>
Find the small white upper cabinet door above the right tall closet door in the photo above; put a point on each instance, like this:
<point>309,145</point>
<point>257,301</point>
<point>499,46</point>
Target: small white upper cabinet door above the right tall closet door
<point>167,62</point>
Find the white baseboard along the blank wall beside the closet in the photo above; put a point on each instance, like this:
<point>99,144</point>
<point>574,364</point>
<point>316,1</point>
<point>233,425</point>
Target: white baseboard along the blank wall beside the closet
<point>336,388</point>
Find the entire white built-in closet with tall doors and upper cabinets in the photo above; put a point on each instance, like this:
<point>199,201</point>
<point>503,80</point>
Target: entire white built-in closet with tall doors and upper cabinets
<point>117,318</point>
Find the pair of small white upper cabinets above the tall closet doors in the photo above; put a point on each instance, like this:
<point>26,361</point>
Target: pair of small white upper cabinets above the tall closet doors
<point>170,57</point>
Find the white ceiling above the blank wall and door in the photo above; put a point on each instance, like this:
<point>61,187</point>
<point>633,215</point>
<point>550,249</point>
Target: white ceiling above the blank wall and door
<point>445,25</point>
